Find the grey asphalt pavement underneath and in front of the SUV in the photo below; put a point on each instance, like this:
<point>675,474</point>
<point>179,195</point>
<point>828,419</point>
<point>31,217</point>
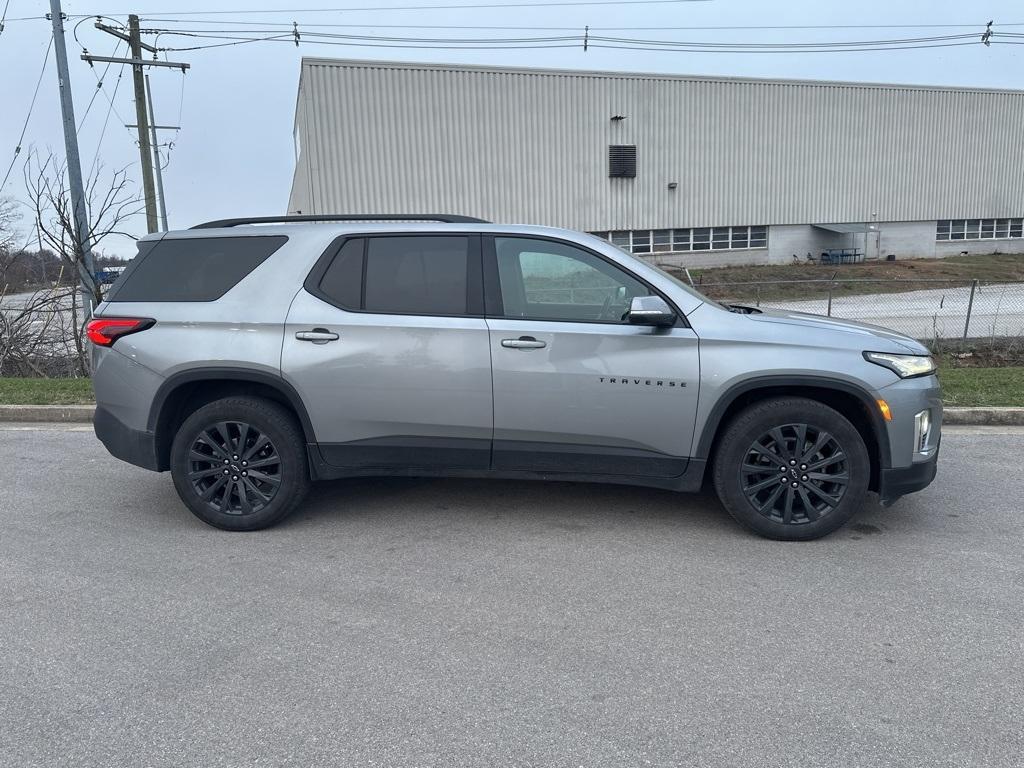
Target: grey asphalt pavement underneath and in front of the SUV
<point>463,623</point>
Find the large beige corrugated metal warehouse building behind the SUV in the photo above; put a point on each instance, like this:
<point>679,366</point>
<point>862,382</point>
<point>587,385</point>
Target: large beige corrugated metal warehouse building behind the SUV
<point>688,170</point>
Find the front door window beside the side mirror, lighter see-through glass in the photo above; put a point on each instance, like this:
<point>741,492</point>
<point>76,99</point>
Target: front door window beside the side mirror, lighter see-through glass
<point>543,280</point>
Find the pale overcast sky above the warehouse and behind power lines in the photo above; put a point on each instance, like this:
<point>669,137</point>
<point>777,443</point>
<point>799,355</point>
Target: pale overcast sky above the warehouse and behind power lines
<point>234,155</point>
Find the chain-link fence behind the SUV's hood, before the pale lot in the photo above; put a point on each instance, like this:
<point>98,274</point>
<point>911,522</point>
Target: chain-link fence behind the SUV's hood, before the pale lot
<point>933,311</point>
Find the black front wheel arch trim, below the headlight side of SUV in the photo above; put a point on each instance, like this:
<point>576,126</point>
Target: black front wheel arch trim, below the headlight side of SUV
<point>854,402</point>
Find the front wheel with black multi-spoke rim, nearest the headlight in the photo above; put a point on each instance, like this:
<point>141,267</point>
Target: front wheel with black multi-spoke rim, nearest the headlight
<point>823,486</point>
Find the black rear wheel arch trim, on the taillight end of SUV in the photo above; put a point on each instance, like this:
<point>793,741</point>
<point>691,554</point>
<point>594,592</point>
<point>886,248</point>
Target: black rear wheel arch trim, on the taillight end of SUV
<point>186,392</point>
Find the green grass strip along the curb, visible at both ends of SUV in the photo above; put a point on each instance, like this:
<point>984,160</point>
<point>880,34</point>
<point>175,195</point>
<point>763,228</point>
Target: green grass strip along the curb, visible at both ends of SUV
<point>961,387</point>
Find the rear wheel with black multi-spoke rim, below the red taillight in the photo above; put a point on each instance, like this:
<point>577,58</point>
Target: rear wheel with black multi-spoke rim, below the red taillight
<point>240,463</point>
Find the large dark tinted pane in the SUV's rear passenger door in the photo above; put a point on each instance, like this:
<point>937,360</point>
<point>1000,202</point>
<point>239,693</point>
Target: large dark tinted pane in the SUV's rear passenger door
<point>417,276</point>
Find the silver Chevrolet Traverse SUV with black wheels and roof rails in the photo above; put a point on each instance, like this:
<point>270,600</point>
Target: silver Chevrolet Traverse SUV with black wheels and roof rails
<point>252,357</point>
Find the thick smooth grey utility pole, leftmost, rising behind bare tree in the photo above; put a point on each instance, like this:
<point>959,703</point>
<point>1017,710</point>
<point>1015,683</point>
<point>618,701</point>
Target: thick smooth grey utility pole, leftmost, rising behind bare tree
<point>79,212</point>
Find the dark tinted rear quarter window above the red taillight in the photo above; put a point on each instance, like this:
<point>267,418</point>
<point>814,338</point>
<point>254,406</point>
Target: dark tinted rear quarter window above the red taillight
<point>194,269</point>
